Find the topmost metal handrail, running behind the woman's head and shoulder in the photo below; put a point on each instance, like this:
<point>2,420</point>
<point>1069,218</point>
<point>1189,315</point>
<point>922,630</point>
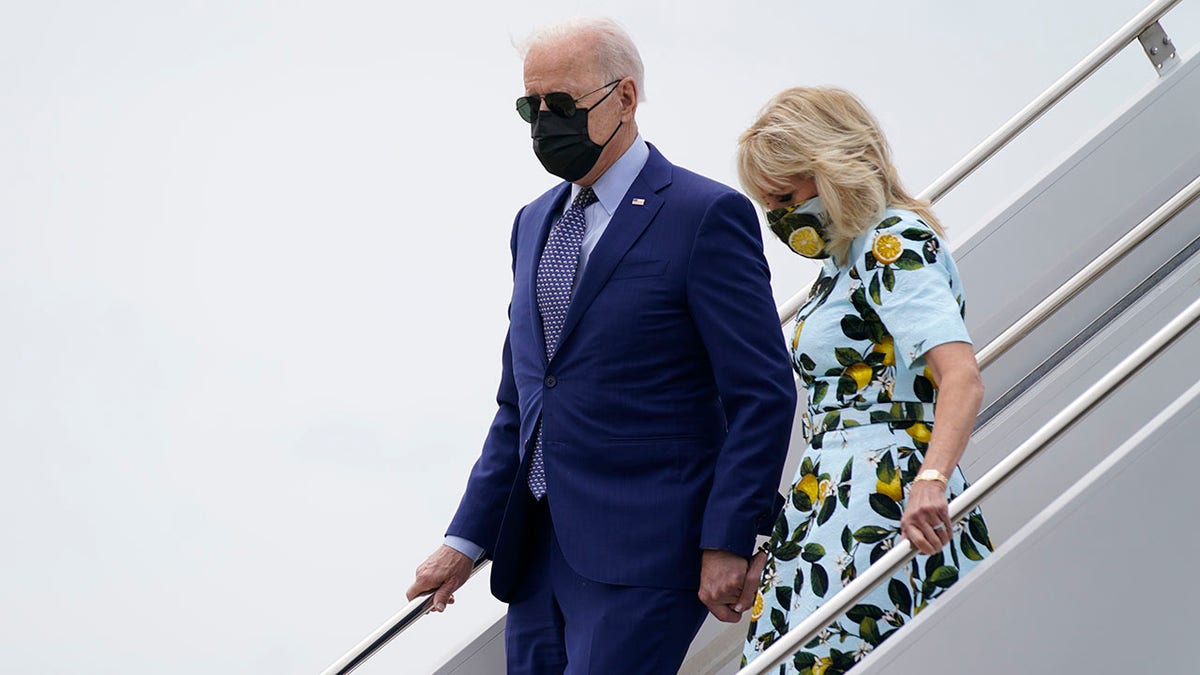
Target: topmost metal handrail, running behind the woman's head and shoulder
<point>1028,116</point>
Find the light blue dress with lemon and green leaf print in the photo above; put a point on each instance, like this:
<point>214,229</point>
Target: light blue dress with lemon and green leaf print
<point>859,347</point>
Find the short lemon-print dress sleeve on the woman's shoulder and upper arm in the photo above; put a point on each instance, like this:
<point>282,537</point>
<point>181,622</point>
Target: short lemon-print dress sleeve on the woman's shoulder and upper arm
<point>913,284</point>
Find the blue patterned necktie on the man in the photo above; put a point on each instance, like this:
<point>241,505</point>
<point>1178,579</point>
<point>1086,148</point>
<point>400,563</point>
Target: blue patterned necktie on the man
<point>556,280</point>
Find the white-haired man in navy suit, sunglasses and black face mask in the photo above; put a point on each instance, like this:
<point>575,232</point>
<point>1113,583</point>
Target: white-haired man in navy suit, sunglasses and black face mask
<point>646,399</point>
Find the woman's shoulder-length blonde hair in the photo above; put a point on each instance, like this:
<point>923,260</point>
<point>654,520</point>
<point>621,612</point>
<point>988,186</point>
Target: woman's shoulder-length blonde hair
<point>827,135</point>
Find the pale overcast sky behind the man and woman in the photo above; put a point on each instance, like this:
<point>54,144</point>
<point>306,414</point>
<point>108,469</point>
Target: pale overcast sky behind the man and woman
<point>254,276</point>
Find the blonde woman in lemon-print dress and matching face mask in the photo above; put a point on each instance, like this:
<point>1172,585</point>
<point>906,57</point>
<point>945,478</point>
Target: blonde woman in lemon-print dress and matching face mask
<point>893,386</point>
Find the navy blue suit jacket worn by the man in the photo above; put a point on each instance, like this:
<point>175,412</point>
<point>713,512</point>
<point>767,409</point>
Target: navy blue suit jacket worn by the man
<point>668,409</point>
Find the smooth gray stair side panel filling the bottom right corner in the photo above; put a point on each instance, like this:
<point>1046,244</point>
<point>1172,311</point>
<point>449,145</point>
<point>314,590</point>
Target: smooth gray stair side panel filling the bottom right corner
<point>1101,583</point>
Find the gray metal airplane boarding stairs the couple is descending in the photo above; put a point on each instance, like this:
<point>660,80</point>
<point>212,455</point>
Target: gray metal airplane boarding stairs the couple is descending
<point>1094,535</point>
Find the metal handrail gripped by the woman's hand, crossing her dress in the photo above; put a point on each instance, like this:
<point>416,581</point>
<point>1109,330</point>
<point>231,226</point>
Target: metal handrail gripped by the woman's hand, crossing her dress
<point>801,635</point>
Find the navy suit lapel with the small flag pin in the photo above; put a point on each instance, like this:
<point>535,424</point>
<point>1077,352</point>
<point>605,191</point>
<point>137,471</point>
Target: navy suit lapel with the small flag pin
<point>638,208</point>
